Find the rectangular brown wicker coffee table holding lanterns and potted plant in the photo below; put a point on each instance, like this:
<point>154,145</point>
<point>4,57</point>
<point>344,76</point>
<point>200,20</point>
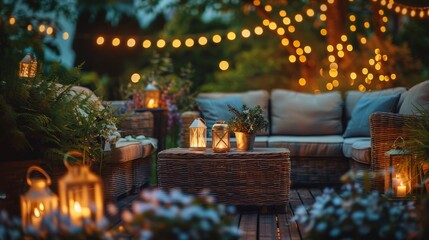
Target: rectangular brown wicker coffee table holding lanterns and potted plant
<point>258,177</point>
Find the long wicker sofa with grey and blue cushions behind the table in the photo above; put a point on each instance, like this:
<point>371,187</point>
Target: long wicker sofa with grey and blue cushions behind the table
<point>324,132</point>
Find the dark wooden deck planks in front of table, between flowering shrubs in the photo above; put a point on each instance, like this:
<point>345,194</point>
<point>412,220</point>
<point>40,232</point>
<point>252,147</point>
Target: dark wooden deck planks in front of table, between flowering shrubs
<point>266,223</point>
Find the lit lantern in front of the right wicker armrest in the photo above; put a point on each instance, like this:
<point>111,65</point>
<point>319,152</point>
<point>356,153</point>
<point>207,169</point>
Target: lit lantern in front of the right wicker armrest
<point>399,178</point>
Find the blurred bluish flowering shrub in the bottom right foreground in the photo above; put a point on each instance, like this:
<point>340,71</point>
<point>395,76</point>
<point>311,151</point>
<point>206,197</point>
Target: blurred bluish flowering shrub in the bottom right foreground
<point>355,214</point>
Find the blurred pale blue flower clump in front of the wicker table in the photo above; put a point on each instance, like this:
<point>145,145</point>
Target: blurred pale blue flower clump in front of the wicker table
<point>174,215</point>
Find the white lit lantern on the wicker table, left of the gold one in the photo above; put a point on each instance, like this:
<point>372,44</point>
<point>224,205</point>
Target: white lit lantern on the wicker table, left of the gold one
<point>198,135</point>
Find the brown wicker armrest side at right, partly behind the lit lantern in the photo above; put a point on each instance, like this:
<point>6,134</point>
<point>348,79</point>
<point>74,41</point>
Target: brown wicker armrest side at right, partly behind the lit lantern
<point>385,128</point>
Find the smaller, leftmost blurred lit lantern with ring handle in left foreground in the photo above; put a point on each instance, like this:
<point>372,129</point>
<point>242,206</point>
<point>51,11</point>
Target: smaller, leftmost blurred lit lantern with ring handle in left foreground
<point>39,201</point>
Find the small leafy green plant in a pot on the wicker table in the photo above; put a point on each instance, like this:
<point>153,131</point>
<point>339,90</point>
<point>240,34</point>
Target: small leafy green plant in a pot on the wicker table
<point>246,124</point>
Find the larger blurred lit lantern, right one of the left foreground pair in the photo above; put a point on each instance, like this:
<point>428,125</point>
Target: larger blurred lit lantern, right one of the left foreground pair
<point>80,192</point>
